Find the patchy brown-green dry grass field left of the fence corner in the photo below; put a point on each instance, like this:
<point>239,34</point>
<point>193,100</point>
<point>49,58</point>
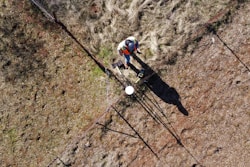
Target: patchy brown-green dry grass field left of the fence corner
<point>47,87</point>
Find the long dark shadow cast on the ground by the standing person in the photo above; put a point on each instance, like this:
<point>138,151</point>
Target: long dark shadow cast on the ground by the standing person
<point>159,87</point>
